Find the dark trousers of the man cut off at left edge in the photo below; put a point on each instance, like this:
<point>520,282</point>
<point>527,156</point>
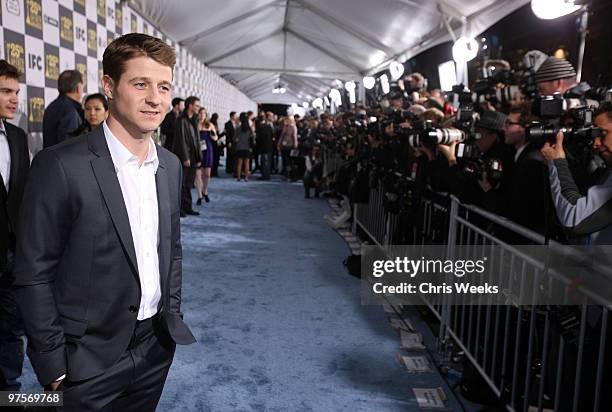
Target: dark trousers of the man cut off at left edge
<point>12,339</point>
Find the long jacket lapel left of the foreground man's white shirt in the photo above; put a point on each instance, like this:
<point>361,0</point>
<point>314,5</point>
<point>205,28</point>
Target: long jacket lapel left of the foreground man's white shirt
<point>106,176</point>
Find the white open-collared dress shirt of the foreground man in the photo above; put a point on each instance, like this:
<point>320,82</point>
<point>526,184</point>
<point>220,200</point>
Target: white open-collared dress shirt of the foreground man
<point>140,196</point>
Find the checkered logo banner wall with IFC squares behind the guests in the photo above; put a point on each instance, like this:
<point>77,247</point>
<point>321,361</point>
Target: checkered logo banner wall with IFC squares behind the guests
<point>42,38</point>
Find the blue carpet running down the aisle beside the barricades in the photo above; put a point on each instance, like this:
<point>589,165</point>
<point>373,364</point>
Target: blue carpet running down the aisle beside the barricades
<point>278,320</point>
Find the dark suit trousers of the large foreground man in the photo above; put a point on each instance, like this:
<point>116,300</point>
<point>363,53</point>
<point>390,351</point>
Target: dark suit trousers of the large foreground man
<point>134,383</point>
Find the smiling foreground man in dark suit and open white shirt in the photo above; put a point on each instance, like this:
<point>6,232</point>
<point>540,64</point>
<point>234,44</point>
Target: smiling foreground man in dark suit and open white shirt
<point>98,261</point>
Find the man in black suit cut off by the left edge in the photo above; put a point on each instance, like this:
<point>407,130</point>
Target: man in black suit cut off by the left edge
<point>14,165</point>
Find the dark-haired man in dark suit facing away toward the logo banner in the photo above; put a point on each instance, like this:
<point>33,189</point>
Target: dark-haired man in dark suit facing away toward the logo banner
<point>65,114</point>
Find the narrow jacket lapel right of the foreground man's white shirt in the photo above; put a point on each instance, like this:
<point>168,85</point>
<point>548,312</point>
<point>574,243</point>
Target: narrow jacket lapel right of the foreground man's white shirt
<point>163,201</point>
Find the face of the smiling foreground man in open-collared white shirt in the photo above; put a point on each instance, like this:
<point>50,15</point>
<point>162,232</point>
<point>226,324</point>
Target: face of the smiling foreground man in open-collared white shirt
<point>141,96</point>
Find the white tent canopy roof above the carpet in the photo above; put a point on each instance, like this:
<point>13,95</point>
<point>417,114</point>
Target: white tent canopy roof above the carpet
<point>305,45</point>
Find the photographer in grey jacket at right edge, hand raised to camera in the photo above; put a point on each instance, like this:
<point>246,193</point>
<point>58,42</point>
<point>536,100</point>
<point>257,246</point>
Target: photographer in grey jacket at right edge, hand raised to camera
<point>587,215</point>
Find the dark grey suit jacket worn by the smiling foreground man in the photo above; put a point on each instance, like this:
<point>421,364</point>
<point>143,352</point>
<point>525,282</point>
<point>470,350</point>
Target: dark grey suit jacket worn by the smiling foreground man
<point>76,272</point>
